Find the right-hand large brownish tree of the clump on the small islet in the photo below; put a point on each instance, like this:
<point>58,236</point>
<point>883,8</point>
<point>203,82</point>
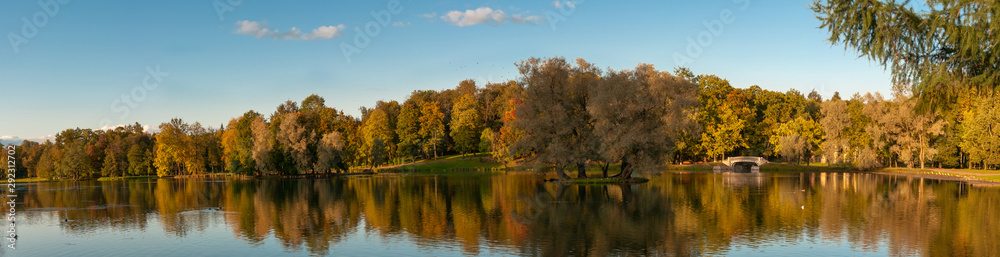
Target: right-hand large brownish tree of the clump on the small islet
<point>639,114</point>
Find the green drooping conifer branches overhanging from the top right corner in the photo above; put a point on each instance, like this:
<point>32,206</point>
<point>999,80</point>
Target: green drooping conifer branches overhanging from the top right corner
<point>938,49</point>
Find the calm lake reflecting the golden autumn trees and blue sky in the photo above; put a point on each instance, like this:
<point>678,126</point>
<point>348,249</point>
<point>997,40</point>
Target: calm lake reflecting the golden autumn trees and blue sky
<point>512,214</point>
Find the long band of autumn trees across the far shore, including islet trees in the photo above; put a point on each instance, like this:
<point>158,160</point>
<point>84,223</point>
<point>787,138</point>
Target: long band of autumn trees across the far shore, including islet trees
<point>560,114</point>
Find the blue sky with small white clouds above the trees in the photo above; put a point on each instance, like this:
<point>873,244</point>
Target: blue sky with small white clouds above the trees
<point>216,60</point>
